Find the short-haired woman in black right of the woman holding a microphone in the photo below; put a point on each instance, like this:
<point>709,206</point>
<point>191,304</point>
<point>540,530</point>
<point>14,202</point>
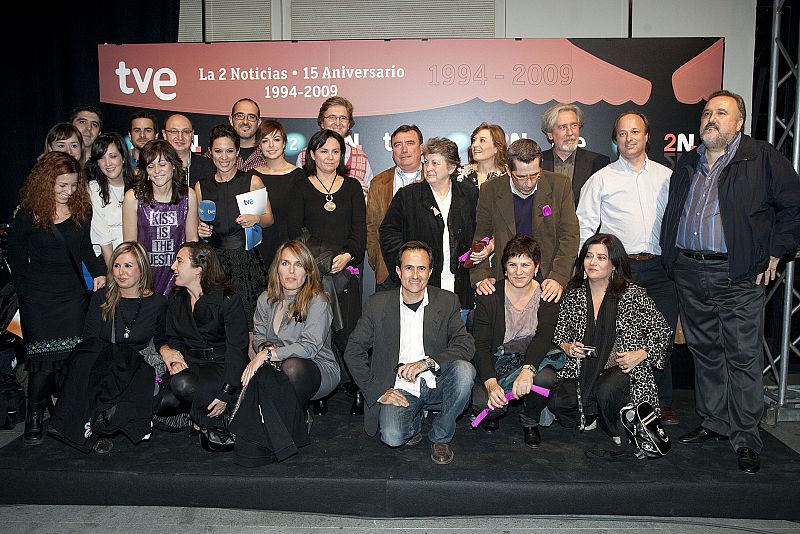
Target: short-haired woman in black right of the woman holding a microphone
<point>280,178</point>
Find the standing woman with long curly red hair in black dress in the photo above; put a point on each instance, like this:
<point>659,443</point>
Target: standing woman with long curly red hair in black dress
<point>47,242</point>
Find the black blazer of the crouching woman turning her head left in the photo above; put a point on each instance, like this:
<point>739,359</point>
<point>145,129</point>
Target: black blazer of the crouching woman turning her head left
<point>219,323</point>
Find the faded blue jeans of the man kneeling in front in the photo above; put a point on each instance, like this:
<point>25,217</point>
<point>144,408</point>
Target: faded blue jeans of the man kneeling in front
<point>453,386</point>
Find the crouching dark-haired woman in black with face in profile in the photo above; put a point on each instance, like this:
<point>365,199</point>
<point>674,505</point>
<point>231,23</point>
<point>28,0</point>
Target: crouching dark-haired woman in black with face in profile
<point>206,349</point>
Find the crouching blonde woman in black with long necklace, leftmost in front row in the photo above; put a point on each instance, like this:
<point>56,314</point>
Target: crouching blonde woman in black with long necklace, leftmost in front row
<point>128,313</point>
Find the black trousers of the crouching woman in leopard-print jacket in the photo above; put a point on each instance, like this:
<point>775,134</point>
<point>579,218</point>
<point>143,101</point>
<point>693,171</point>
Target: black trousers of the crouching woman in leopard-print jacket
<point>611,393</point>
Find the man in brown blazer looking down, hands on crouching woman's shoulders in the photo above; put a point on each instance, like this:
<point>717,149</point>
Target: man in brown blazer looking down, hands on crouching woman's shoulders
<point>535,203</point>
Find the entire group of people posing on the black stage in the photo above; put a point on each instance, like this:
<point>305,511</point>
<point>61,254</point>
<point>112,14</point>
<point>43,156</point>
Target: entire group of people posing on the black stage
<point>525,268</point>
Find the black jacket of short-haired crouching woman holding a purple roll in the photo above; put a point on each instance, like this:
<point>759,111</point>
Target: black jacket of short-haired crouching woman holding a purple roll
<point>489,328</point>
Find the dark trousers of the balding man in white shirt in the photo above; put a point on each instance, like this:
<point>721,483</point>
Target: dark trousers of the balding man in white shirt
<point>661,288</point>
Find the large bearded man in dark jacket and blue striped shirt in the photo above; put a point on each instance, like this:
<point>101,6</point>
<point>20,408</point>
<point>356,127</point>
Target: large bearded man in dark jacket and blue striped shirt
<point>733,211</point>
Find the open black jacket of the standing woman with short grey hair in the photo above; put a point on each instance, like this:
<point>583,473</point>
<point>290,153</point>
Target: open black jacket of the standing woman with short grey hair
<point>411,216</point>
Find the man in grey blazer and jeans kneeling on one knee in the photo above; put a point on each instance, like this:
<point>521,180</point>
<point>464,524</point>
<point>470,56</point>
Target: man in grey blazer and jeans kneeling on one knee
<point>420,357</point>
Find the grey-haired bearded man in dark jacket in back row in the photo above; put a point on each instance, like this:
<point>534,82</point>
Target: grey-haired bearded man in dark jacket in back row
<point>562,124</point>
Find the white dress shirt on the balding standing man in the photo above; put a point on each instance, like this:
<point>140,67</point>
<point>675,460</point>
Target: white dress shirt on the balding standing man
<point>627,203</point>
